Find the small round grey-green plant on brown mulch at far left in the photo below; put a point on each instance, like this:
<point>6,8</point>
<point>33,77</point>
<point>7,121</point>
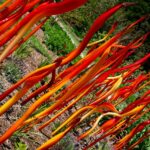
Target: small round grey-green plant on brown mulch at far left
<point>12,72</point>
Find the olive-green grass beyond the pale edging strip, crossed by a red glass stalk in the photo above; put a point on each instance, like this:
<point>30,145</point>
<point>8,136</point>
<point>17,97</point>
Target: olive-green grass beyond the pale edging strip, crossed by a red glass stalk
<point>81,19</point>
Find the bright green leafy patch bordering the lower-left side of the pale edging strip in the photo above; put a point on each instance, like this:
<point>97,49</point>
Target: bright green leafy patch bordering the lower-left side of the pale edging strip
<point>56,39</point>
